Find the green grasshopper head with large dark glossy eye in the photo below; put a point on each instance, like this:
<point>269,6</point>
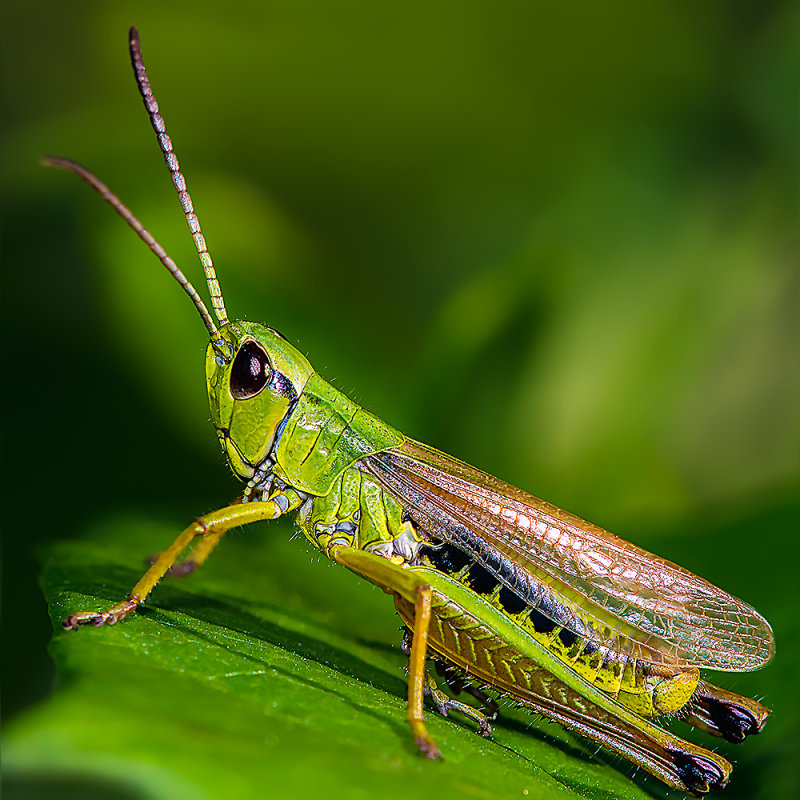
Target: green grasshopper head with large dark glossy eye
<point>253,376</point>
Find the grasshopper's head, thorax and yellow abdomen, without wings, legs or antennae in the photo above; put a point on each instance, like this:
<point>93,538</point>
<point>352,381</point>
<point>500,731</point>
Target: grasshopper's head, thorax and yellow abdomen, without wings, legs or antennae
<point>311,437</point>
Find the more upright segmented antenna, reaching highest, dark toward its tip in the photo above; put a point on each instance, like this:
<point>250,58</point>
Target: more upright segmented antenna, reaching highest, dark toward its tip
<point>150,103</point>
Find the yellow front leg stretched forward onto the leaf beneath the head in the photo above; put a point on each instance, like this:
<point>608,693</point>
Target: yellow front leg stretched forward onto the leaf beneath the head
<point>212,525</point>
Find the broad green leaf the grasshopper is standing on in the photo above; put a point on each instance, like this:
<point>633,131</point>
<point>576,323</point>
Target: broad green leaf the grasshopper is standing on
<point>261,675</point>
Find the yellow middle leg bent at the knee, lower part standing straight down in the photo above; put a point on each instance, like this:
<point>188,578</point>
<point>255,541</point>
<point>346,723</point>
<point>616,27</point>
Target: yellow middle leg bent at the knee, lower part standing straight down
<point>398,580</point>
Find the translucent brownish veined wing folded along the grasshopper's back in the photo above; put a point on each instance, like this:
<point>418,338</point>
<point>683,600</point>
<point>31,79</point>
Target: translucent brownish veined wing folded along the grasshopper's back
<point>655,609</point>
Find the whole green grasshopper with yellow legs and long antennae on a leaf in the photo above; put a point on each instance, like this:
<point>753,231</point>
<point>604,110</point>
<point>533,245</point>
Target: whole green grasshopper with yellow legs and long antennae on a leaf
<point>503,590</point>
